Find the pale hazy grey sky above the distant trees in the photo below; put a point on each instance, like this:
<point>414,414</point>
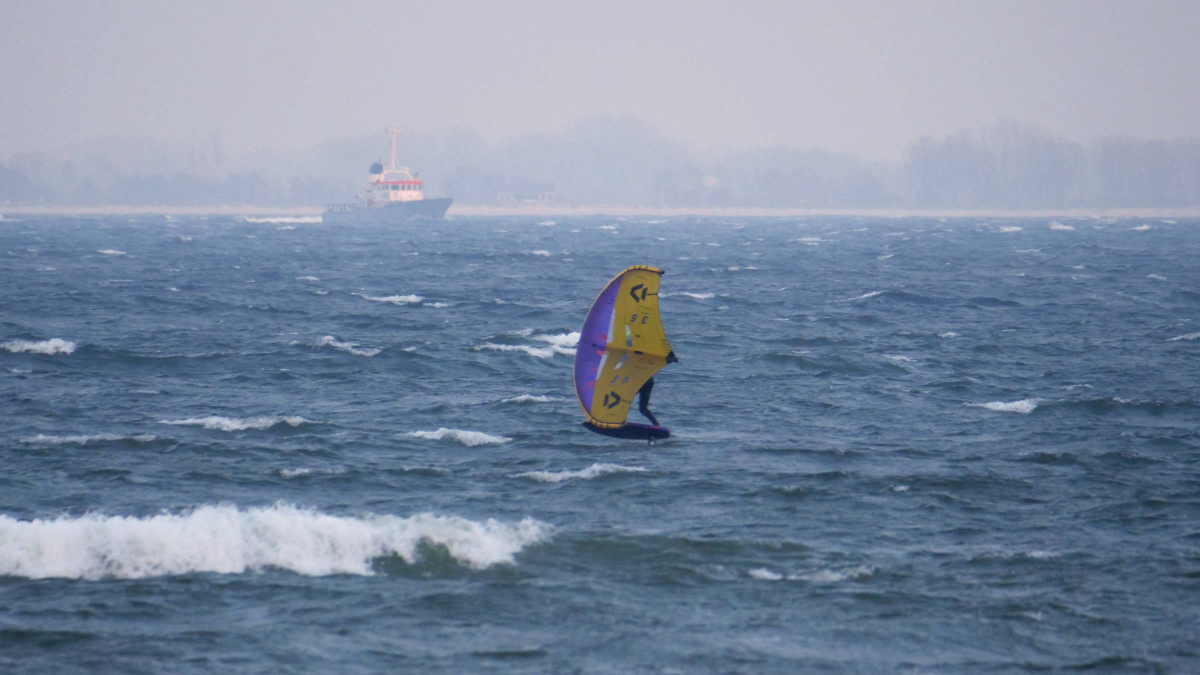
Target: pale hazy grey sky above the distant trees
<point>866,77</point>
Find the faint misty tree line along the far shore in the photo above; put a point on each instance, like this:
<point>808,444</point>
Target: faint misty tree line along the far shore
<point>626,163</point>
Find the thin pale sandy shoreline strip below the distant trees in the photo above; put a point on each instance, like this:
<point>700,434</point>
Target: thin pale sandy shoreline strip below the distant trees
<point>620,212</point>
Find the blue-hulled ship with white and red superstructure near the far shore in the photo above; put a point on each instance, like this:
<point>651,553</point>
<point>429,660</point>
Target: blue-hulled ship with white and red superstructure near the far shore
<point>392,194</point>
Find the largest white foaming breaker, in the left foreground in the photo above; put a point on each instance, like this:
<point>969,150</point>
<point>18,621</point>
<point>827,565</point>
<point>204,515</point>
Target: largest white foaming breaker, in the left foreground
<point>227,540</point>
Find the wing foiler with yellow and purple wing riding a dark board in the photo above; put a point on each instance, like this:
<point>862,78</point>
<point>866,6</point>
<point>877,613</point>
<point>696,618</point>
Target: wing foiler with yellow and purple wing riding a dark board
<point>622,345</point>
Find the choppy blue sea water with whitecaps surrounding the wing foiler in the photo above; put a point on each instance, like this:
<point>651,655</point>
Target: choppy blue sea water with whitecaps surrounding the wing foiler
<point>899,446</point>
